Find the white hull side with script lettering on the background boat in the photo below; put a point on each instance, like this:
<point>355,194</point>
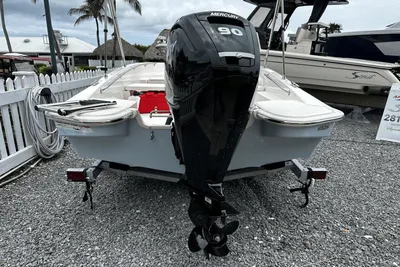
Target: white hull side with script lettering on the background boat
<point>334,74</point>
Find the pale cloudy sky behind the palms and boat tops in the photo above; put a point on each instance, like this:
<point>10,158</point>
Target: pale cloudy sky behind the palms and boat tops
<point>24,18</point>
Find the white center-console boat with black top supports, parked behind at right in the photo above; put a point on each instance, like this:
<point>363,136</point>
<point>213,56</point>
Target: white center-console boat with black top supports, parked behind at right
<point>338,79</point>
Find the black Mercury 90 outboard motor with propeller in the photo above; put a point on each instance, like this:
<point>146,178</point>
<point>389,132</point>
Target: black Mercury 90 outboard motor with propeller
<point>211,72</point>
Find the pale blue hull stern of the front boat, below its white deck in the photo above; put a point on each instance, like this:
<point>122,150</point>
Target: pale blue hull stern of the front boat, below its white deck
<point>263,142</point>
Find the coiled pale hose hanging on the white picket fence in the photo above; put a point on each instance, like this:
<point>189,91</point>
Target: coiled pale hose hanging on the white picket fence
<point>47,143</point>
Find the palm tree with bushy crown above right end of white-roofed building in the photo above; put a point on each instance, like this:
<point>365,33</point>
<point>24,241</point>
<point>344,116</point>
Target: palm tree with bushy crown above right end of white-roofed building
<point>91,9</point>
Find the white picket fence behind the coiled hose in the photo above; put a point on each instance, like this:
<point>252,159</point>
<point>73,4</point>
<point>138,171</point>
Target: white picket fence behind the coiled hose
<point>15,142</point>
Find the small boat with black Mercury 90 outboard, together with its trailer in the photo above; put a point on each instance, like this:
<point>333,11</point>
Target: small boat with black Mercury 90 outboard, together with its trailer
<point>211,113</point>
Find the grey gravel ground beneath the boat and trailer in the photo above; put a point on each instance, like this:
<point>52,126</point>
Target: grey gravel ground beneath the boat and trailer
<point>352,220</point>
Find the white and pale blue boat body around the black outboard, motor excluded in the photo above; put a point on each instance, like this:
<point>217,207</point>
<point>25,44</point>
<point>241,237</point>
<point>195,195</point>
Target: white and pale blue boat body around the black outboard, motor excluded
<point>285,123</point>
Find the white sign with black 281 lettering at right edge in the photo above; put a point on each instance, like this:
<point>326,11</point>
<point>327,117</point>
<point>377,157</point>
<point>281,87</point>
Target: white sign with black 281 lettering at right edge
<point>389,128</point>
